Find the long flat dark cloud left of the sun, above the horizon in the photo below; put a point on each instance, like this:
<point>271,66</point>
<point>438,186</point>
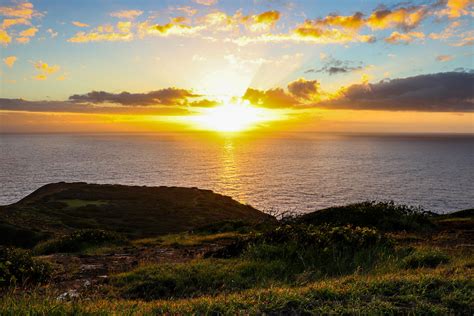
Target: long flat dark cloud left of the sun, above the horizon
<point>168,96</point>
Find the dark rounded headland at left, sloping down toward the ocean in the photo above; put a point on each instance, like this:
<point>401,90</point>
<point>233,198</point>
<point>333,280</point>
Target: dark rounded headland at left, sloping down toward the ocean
<point>136,211</point>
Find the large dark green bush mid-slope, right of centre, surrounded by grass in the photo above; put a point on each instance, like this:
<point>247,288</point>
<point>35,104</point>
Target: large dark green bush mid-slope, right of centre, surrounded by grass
<point>325,249</point>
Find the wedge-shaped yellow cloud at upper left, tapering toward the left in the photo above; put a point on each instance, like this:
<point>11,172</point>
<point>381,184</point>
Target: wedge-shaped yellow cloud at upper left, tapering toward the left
<point>121,32</point>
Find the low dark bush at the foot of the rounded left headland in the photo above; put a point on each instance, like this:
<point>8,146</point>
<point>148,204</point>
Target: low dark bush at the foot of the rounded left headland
<point>77,241</point>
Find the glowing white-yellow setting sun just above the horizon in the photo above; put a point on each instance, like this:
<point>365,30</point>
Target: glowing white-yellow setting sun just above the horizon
<point>232,117</point>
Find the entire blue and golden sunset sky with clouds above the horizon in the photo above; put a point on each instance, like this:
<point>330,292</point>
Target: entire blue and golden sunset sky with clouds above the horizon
<point>230,66</point>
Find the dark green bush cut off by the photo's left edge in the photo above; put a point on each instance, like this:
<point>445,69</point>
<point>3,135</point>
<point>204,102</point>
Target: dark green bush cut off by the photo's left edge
<point>17,266</point>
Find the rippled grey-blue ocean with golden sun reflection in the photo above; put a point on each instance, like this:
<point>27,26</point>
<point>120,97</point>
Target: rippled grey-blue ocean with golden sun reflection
<point>299,172</point>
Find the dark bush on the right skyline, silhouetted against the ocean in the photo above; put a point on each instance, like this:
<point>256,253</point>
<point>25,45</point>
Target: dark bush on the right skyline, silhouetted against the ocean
<point>385,216</point>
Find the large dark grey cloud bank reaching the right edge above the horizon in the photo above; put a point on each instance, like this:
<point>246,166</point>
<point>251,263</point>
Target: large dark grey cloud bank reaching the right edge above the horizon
<point>440,92</point>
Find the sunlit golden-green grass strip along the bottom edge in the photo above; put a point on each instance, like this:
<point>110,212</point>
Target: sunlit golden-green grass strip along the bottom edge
<point>441,291</point>
